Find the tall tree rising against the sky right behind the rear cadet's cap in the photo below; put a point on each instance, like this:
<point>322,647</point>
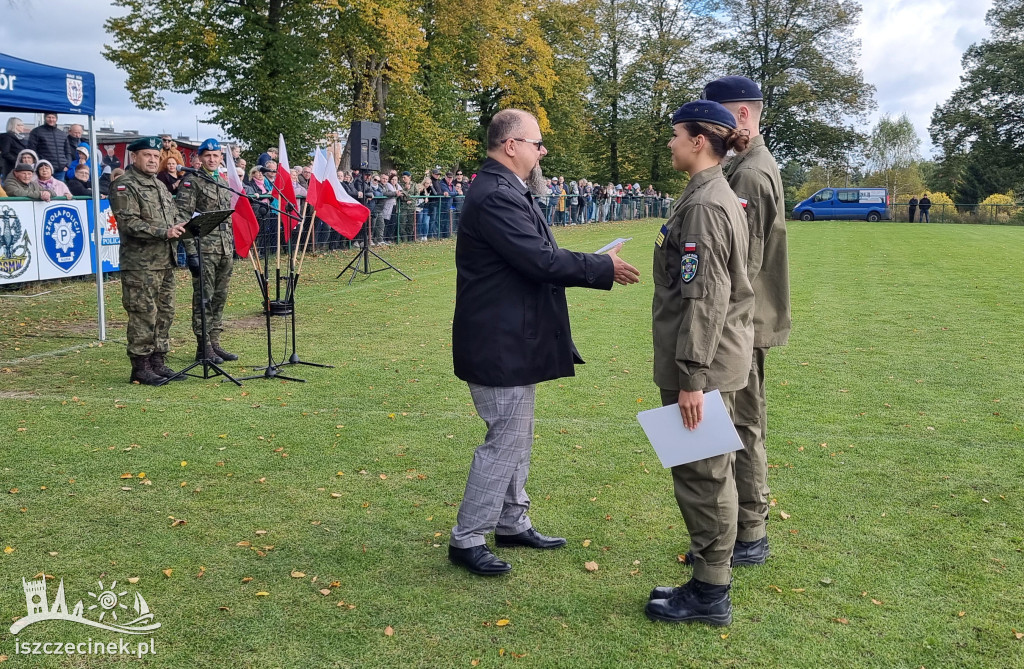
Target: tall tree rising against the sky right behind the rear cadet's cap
<point>803,55</point>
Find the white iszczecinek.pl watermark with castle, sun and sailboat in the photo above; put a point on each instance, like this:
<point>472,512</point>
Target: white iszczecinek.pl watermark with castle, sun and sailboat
<point>106,609</point>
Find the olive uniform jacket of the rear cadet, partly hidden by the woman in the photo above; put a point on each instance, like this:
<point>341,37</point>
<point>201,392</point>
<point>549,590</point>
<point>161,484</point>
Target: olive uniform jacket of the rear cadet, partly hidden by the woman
<point>755,178</point>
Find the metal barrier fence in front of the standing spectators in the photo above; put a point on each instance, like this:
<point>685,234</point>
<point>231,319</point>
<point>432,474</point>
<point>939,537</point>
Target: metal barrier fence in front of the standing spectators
<point>412,219</point>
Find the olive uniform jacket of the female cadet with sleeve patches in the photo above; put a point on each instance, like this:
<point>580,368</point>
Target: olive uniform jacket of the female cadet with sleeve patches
<point>704,303</point>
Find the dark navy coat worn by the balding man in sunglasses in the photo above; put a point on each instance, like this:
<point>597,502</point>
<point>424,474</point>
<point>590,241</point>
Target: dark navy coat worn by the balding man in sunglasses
<point>511,322</point>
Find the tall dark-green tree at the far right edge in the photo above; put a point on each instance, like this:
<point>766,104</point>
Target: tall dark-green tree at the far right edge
<point>980,130</point>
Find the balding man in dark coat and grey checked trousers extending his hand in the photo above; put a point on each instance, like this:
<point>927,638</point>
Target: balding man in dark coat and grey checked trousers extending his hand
<point>511,331</point>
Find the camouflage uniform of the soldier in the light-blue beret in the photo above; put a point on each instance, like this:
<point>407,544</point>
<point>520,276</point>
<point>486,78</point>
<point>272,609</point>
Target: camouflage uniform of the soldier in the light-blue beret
<point>196,195</point>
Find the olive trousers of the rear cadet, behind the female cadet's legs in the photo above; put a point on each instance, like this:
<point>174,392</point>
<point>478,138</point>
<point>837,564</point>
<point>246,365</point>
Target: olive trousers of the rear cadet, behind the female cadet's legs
<point>752,463</point>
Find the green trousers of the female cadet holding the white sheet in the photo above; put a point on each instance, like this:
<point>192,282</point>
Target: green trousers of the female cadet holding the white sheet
<point>706,492</point>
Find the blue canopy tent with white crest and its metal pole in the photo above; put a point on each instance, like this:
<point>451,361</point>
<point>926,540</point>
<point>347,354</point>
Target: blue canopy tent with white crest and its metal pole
<point>27,87</point>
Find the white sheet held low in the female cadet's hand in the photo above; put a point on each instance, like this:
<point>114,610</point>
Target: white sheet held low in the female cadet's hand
<point>675,445</point>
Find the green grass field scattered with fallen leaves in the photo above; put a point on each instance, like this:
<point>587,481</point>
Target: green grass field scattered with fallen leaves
<point>895,450</point>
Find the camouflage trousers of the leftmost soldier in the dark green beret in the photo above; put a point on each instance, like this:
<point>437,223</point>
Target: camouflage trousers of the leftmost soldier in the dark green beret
<point>148,296</point>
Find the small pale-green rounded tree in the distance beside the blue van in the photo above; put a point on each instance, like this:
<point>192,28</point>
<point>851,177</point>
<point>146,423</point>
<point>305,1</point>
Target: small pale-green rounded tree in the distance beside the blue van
<point>892,153</point>
